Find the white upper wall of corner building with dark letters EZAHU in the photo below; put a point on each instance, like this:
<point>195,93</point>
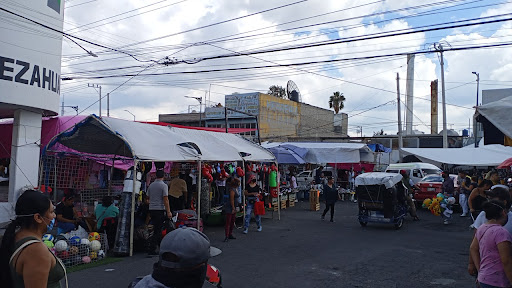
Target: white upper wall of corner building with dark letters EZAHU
<point>30,55</point>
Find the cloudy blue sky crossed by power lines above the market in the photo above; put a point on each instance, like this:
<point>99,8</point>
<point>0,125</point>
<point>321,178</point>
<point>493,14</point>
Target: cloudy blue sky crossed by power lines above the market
<point>184,32</point>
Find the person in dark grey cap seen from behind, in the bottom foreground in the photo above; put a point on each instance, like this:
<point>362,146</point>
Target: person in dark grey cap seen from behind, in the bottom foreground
<point>183,261</point>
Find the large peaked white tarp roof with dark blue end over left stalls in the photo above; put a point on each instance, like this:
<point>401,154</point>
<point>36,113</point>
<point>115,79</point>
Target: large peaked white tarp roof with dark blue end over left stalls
<point>147,142</point>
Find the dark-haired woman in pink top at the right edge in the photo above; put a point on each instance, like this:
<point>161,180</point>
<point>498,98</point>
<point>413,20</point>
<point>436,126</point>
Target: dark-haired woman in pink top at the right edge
<point>491,248</point>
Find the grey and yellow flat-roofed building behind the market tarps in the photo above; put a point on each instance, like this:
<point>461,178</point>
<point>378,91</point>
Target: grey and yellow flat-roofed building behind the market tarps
<point>276,118</point>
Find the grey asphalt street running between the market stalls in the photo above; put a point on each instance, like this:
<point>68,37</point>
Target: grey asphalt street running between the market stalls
<point>303,251</point>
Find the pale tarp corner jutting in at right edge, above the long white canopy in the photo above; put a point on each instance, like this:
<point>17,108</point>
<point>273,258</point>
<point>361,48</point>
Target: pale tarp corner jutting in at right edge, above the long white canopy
<point>498,113</point>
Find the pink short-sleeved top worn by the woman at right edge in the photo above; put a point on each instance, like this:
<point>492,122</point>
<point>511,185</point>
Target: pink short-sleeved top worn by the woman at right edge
<point>491,269</point>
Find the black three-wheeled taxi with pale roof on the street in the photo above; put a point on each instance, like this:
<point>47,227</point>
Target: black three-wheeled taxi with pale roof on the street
<point>381,198</point>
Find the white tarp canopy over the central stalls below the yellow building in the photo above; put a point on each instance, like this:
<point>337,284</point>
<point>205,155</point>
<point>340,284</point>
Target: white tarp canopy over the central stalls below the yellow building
<point>323,152</point>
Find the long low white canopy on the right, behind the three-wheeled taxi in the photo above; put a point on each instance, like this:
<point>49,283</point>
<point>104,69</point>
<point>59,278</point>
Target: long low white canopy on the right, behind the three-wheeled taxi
<point>488,155</point>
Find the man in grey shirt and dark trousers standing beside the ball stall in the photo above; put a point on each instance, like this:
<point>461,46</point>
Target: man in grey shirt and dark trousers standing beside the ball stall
<point>158,205</point>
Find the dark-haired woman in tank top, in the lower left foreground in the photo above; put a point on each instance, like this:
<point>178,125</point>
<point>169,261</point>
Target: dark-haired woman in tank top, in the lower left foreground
<point>24,260</point>
